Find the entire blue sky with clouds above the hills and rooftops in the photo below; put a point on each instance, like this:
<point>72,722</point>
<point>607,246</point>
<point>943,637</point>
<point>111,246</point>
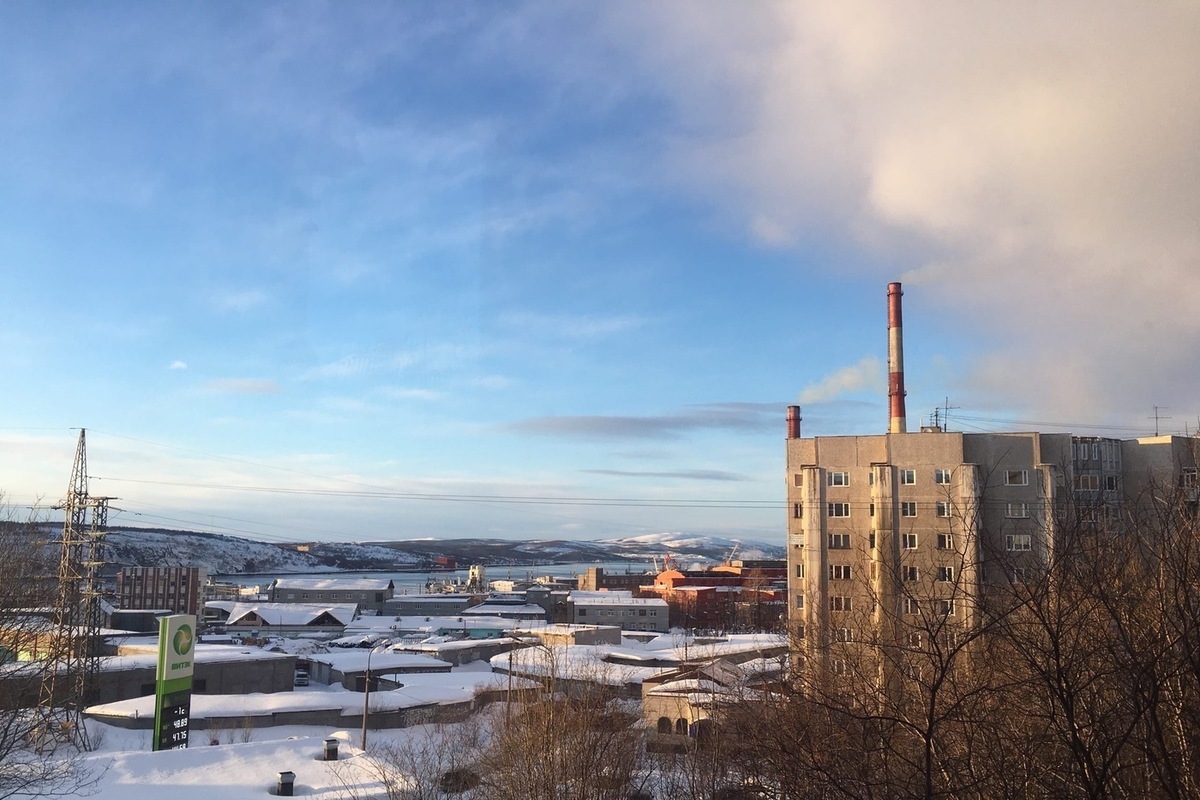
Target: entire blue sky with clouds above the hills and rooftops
<point>374,272</point>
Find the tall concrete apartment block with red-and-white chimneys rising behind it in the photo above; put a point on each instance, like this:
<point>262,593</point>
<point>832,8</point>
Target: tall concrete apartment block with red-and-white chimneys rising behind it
<point>890,532</point>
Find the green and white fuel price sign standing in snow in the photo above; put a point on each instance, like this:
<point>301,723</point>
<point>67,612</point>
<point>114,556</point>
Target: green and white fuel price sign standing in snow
<point>173,688</point>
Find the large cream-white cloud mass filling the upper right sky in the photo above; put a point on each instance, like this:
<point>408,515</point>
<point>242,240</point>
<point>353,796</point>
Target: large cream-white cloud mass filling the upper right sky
<point>1033,167</point>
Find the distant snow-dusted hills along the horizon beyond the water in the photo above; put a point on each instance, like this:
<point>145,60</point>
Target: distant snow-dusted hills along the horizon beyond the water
<point>221,555</point>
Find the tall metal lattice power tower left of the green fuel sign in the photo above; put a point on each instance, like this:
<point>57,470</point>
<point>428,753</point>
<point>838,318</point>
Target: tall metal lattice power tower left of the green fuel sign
<point>69,679</point>
